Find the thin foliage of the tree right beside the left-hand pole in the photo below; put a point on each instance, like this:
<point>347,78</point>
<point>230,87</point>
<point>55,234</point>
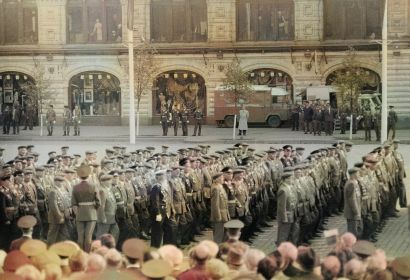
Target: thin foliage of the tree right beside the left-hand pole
<point>145,69</point>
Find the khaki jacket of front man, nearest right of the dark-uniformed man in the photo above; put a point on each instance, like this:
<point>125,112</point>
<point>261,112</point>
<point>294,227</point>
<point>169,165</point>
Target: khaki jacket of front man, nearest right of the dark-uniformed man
<point>219,204</point>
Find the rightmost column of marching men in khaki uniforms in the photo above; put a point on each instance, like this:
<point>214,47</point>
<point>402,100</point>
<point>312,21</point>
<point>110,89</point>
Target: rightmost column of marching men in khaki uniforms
<point>375,187</point>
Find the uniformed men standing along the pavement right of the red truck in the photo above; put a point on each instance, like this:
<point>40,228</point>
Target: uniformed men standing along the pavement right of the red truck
<point>317,119</point>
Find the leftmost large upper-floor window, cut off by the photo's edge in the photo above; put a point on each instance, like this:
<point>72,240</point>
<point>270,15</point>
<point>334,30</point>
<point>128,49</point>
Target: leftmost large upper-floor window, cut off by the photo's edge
<point>18,22</point>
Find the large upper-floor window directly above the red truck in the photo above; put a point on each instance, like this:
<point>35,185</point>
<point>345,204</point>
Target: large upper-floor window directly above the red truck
<point>265,20</point>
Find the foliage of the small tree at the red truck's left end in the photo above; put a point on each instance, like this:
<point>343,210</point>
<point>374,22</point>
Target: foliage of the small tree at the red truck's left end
<point>236,83</point>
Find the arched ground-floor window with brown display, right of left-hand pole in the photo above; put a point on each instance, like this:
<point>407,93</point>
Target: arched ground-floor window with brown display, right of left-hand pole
<point>179,89</point>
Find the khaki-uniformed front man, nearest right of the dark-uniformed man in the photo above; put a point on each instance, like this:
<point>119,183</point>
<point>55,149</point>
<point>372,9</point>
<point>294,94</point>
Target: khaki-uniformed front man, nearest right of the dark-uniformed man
<point>219,207</point>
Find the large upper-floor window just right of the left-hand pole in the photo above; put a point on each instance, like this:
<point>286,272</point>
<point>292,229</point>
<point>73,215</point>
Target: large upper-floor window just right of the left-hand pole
<point>179,21</point>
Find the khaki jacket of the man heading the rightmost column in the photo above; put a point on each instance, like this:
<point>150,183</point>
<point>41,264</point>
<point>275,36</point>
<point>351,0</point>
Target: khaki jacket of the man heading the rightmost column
<point>352,208</point>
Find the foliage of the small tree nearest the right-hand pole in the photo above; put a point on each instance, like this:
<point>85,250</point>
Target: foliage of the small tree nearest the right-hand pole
<point>350,81</point>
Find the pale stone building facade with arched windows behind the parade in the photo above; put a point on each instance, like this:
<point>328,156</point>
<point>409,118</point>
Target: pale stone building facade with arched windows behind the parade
<point>82,47</point>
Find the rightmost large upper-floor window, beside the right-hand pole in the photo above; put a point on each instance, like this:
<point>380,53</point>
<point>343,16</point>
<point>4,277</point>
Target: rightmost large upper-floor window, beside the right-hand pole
<point>354,20</point>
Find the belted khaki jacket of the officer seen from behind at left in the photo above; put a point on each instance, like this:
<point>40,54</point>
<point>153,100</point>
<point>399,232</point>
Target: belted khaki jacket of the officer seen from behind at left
<point>87,200</point>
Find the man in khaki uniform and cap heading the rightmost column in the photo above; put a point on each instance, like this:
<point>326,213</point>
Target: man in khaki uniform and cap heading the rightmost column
<point>352,209</point>
